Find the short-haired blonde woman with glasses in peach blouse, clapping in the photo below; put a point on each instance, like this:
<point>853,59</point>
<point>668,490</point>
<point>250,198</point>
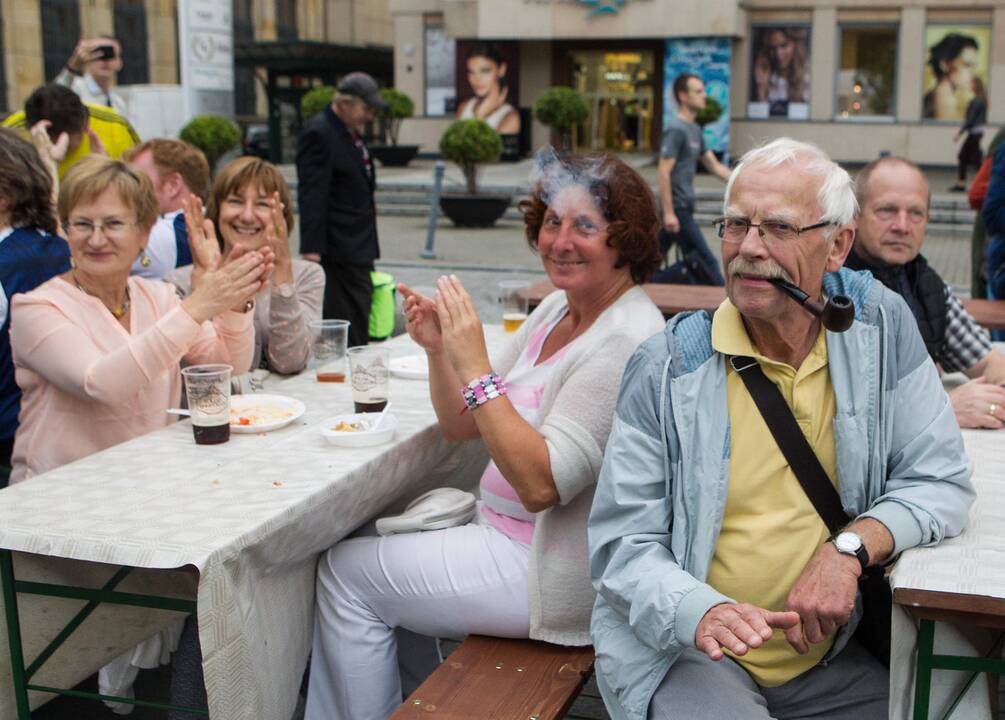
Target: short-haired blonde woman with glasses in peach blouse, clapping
<point>97,352</point>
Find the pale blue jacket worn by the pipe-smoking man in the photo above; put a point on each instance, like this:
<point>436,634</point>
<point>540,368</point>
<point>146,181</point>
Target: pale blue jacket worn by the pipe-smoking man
<point>660,502</point>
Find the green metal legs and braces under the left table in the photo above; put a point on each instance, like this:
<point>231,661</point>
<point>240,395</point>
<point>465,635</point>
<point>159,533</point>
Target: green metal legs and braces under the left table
<point>95,597</point>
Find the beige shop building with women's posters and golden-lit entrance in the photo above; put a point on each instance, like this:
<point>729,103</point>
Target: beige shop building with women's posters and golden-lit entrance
<point>859,79</point>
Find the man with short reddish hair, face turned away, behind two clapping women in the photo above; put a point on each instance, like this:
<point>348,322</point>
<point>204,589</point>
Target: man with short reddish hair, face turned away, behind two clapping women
<point>177,171</point>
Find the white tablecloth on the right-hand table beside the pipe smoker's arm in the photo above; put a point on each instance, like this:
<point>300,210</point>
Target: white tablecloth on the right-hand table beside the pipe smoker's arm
<point>972,564</point>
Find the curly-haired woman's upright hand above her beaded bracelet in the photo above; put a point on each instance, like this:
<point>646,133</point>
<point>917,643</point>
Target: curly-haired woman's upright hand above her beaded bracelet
<point>461,327</point>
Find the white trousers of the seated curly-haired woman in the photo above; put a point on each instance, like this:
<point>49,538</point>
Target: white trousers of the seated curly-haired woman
<point>442,584</point>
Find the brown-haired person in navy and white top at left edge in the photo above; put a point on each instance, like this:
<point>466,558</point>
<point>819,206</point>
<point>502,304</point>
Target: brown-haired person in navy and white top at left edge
<point>31,254</point>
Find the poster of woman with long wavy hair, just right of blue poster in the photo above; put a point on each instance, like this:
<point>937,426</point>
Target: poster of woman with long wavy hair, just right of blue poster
<point>780,72</point>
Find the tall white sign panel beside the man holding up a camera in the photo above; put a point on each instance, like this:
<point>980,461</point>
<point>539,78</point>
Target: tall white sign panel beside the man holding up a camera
<point>206,42</point>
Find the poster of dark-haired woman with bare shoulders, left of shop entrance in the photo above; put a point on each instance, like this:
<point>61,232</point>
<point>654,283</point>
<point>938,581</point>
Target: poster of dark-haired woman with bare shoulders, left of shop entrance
<point>488,84</point>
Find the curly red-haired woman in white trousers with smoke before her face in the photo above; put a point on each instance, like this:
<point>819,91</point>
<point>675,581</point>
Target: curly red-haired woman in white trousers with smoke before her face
<point>520,569</point>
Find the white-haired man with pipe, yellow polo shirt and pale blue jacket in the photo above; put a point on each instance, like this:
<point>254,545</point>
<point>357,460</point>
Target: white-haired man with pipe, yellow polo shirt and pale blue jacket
<point>721,592</point>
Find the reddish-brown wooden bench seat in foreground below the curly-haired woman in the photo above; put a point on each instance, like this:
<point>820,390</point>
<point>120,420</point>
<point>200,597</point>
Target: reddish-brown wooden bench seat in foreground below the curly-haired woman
<point>502,679</point>
